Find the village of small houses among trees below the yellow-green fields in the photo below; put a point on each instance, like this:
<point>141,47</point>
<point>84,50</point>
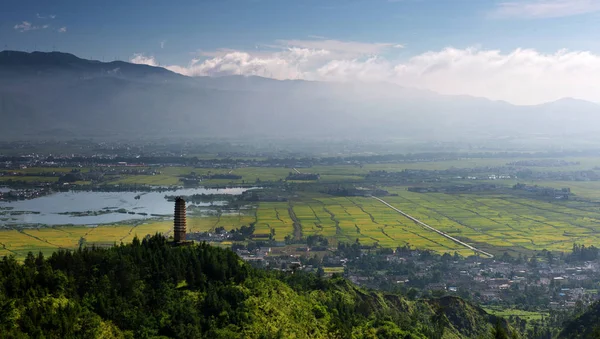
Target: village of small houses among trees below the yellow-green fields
<point>543,281</point>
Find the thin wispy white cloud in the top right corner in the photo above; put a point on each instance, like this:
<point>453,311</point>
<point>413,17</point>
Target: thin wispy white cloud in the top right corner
<point>545,8</point>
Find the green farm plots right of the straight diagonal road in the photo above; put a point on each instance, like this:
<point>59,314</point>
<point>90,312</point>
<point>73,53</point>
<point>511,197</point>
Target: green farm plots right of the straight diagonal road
<point>504,221</point>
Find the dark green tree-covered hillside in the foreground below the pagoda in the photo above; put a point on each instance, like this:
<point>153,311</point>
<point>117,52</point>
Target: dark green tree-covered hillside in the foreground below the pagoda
<point>151,289</point>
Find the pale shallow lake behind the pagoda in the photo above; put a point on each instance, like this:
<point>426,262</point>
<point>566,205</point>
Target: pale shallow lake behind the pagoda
<point>49,206</point>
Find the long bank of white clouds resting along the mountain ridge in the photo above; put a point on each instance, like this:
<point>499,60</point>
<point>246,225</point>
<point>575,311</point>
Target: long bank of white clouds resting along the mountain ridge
<point>521,76</point>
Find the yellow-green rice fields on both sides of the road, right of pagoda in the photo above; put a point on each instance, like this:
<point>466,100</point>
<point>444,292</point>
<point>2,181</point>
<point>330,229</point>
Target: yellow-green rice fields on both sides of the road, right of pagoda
<point>491,222</point>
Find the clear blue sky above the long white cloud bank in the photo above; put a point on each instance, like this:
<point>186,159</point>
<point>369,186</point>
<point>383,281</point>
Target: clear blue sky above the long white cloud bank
<point>121,28</point>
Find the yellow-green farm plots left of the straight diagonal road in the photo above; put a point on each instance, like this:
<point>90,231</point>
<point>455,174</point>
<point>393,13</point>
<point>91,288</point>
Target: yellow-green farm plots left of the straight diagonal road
<point>348,219</point>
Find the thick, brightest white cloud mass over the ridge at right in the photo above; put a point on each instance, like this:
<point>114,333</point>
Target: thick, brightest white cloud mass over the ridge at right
<point>523,76</point>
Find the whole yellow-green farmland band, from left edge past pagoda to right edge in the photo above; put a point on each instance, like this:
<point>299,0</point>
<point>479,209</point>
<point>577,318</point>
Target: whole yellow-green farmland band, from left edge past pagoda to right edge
<point>491,222</point>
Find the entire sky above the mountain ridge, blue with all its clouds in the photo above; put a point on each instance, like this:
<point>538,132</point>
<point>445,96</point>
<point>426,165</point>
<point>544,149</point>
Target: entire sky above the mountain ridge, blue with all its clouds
<point>520,51</point>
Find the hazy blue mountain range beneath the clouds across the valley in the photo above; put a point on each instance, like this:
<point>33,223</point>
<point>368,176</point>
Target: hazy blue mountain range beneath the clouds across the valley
<point>57,94</point>
